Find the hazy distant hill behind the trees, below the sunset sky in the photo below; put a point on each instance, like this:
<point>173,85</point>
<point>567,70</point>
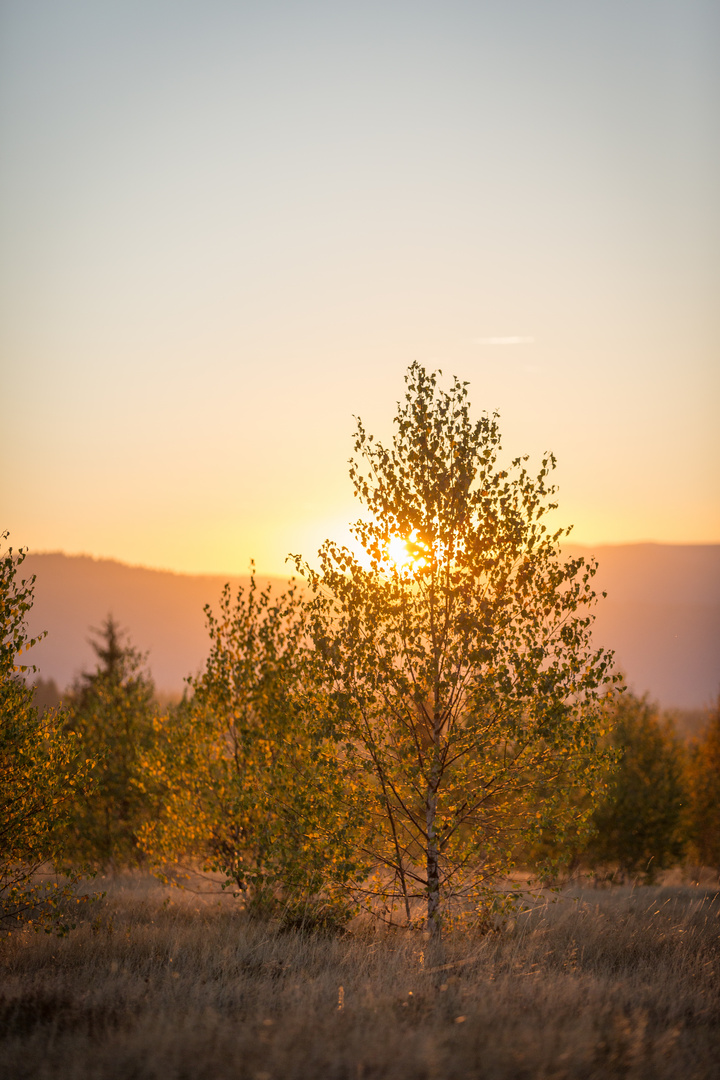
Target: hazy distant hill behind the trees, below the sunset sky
<point>662,616</point>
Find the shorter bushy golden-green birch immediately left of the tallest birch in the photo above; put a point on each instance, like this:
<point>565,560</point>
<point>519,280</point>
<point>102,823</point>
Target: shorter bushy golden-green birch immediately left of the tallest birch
<point>253,789</point>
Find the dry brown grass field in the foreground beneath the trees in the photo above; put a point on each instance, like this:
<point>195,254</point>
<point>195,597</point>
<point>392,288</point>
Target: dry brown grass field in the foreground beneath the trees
<point>612,984</point>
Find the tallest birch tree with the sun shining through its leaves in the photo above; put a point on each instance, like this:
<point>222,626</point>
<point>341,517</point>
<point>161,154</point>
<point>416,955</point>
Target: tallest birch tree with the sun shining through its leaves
<point>469,698</point>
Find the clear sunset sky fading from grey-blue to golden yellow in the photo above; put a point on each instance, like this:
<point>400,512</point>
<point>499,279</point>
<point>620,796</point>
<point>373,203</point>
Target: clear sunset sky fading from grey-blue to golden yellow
<point>227,227</point>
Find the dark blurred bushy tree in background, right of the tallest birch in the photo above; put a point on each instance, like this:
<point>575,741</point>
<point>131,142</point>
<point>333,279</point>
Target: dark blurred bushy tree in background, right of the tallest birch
<point>640,826</point>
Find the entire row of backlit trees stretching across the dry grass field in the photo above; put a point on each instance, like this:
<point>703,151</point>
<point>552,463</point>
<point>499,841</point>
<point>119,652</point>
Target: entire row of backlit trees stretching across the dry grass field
<point>401,735</point>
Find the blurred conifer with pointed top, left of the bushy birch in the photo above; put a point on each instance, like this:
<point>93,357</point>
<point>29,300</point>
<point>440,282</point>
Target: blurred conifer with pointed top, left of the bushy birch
<point>113,710</point>
